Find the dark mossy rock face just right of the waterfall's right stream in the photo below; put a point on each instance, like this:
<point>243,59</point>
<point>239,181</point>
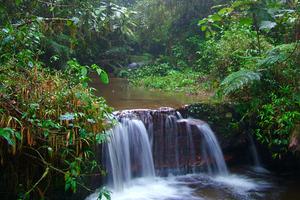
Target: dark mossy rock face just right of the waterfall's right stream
<point>225,122</point>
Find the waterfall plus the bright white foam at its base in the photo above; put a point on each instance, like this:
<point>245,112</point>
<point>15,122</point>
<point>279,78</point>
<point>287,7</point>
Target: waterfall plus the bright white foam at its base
<point>180,146</point>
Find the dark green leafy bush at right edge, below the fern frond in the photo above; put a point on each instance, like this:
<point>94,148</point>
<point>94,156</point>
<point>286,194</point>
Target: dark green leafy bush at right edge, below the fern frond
<point>276,119</point>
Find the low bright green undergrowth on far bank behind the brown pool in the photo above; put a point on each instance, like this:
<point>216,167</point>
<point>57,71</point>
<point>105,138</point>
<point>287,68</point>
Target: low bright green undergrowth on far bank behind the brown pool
<point>164,77</point>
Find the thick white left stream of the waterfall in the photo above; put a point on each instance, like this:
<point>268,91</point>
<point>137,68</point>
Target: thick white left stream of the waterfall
<point>129,153</point>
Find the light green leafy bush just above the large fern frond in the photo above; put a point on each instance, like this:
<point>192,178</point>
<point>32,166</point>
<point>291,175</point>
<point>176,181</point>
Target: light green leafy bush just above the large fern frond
<point>234,50</point>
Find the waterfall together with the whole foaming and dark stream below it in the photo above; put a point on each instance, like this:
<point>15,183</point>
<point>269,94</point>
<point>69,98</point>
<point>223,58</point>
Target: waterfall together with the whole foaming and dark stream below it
<point>155,155</point>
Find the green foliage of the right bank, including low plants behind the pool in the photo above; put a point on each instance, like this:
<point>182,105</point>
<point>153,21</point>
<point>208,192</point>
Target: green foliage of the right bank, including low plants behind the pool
<point>248,51</point>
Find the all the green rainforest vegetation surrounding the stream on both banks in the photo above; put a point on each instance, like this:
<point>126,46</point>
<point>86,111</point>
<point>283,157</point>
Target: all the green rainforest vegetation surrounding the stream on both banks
<point>245,52</point>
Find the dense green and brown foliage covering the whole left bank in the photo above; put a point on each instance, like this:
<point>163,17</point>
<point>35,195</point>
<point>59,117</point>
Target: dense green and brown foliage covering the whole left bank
<point>50,121</point>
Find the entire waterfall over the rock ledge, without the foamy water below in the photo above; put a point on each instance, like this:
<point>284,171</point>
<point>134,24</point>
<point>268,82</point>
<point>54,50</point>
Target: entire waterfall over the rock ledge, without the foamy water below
<point>179,146</point>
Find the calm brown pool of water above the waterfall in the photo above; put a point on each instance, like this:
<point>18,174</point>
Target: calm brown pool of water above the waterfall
<point>120,96</point>
